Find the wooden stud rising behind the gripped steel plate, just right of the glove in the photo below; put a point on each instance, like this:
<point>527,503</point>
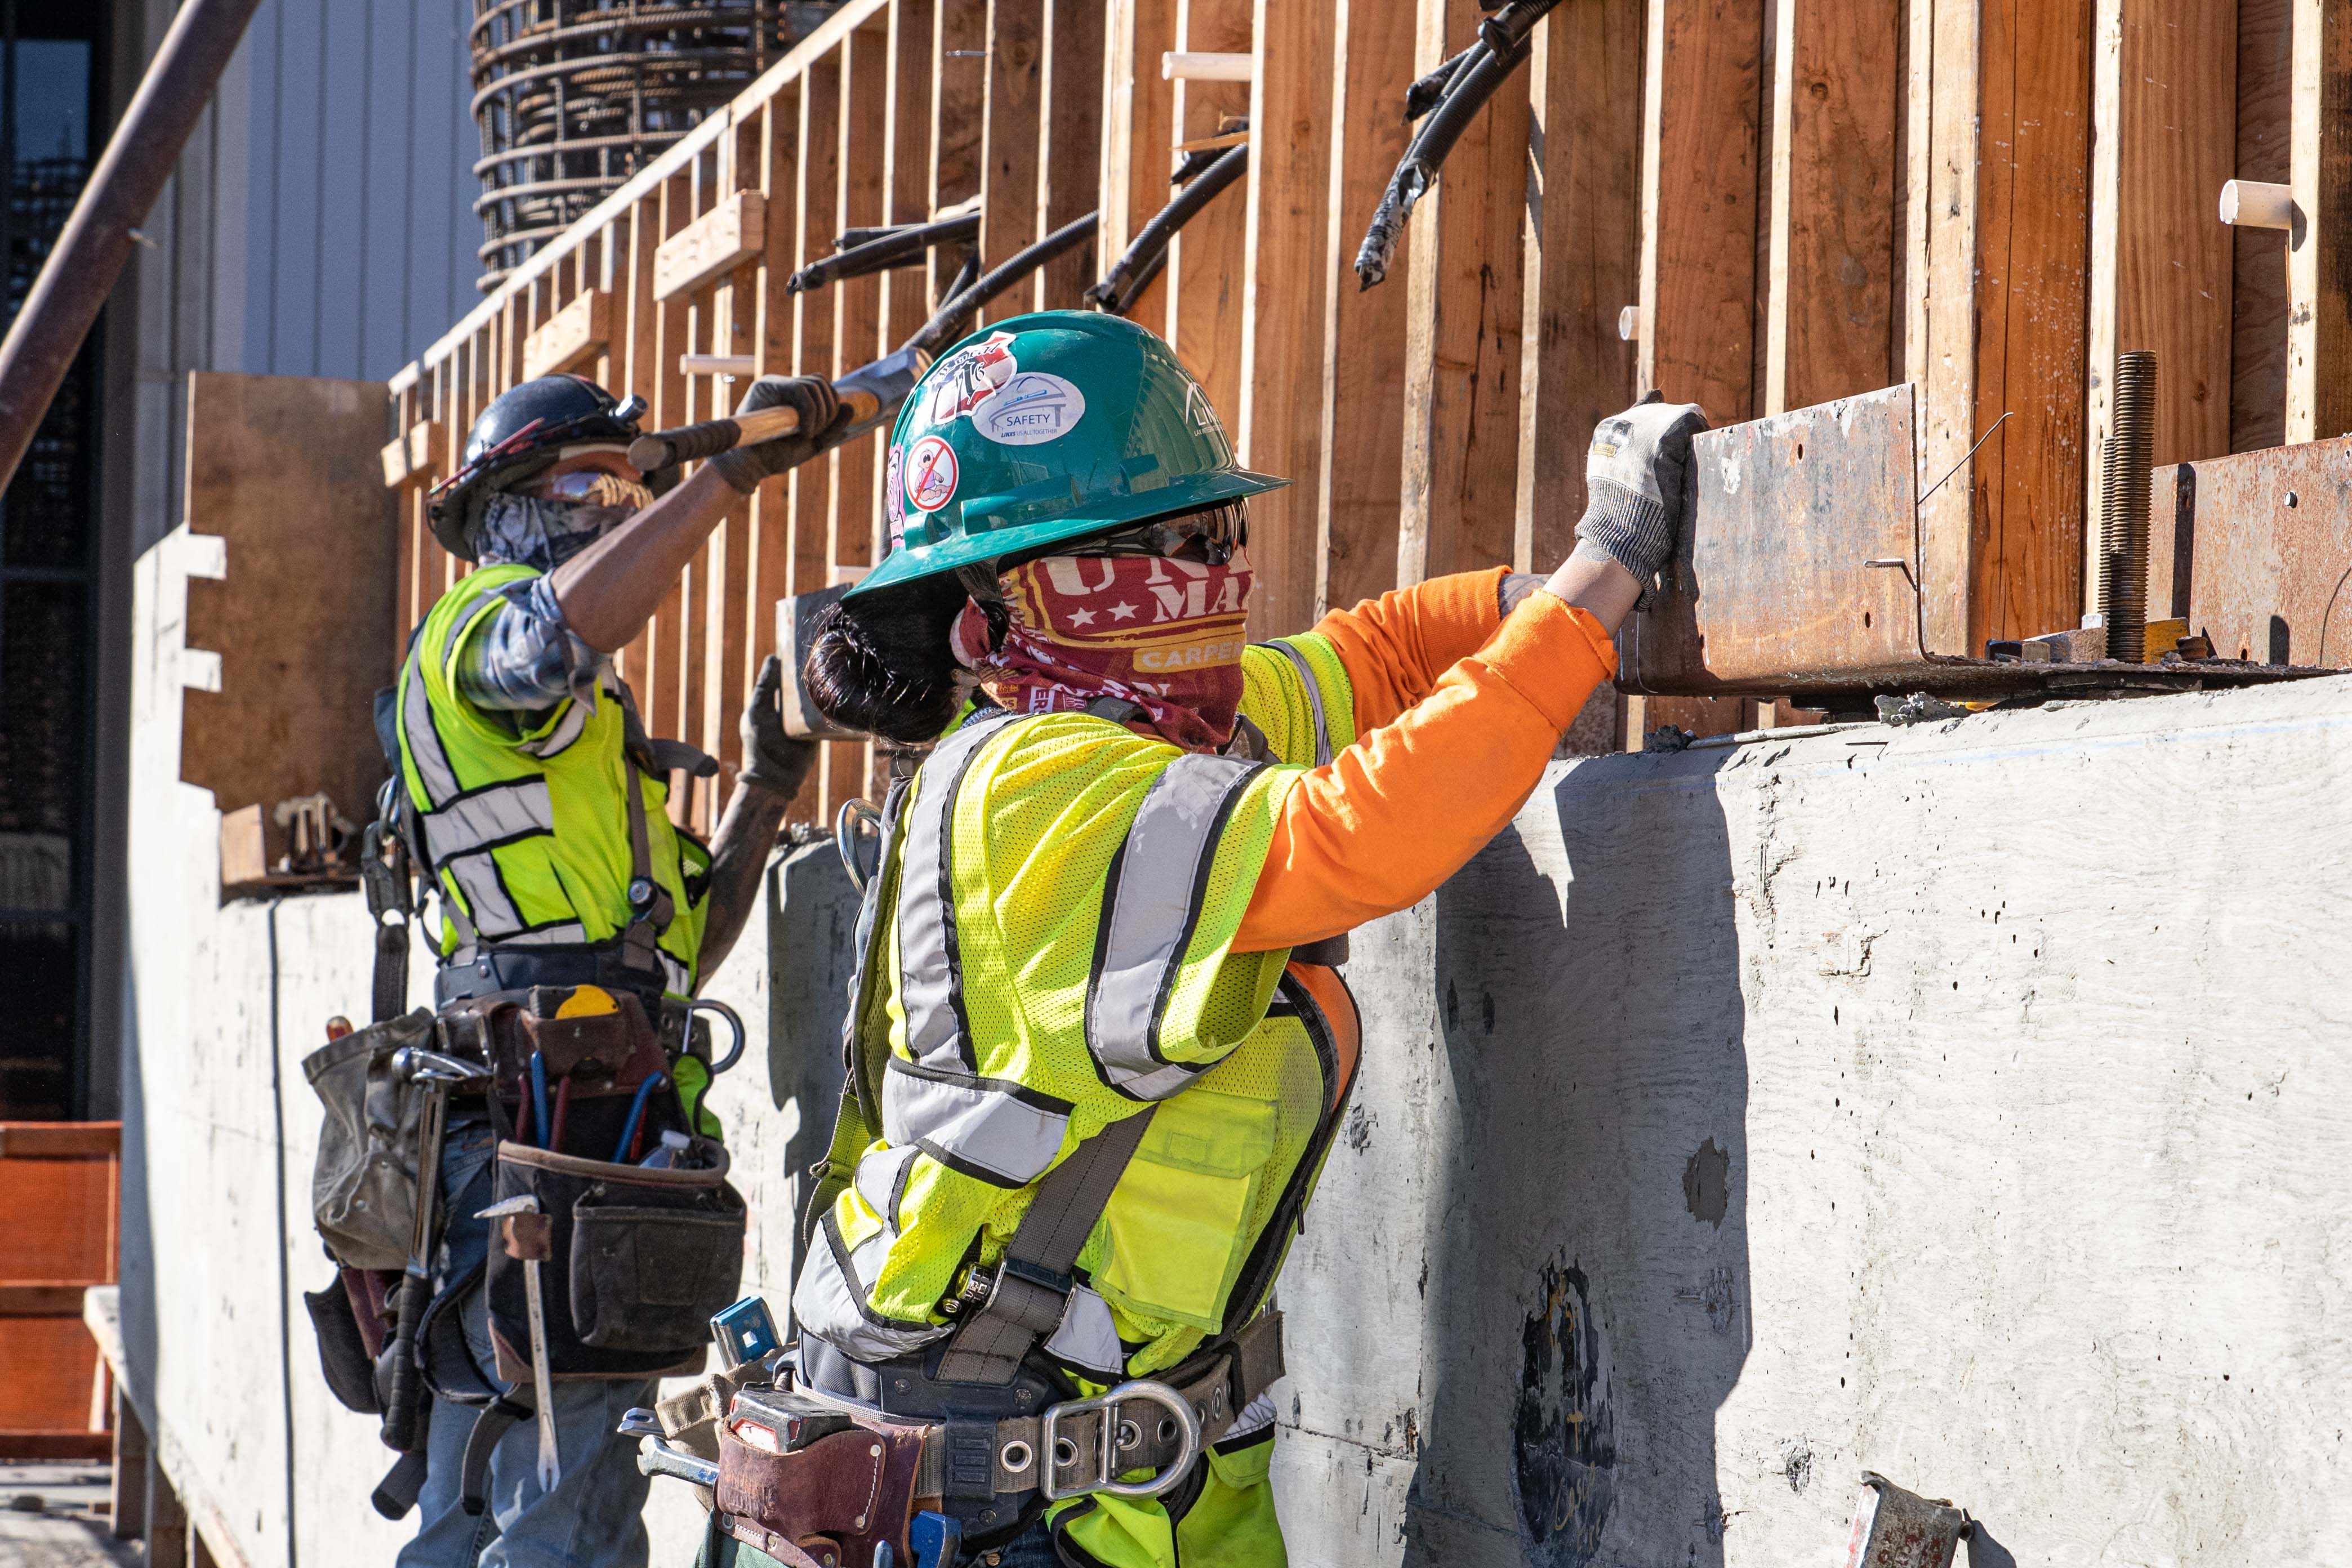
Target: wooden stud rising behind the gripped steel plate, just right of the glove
<point>1833,201</point>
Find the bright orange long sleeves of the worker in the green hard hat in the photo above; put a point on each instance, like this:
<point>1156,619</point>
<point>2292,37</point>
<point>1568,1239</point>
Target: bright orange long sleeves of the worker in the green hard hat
<point>1457,711</point>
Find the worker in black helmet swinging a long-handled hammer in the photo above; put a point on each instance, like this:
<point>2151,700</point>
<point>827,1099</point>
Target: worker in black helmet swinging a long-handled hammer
<point>537,803</point>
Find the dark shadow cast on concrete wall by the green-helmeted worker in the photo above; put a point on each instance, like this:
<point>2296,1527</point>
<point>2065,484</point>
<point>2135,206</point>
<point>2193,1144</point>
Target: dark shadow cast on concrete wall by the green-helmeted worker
<point>1589,1257</point>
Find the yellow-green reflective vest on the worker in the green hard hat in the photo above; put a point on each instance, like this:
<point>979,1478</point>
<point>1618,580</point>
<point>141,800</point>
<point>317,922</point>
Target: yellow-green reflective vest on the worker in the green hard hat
<point>1048,951</point>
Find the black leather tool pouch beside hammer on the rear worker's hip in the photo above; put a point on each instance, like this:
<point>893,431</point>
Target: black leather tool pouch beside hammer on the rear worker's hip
<point>639,1264</point>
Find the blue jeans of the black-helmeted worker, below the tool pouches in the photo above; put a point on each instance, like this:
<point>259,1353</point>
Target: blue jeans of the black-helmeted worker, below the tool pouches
<point>594,1517</point>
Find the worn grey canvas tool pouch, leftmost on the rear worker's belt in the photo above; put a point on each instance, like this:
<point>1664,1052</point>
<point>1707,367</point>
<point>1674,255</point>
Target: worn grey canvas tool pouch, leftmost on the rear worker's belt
<point>363,1191</point>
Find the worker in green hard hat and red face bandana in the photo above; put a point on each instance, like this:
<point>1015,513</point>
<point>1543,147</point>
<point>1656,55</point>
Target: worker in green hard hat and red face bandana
<point>1097,1043</point>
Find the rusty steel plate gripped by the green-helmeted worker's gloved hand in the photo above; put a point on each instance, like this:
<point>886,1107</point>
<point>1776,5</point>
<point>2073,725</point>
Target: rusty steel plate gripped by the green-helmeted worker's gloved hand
<point>1775,594</point>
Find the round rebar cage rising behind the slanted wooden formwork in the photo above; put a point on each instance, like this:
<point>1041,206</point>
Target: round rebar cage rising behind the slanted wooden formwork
<point>577,95</point>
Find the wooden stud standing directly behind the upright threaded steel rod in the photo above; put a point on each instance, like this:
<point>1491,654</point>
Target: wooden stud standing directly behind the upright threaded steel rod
<point>2165,109</point>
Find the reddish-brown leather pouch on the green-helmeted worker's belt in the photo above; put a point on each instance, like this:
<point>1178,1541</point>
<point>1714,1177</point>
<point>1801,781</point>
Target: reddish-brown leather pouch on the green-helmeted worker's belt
<point>829,1503</point>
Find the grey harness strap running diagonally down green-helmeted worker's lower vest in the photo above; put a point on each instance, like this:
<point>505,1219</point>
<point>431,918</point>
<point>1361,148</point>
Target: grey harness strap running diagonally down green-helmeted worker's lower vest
<point>1031,1289</point>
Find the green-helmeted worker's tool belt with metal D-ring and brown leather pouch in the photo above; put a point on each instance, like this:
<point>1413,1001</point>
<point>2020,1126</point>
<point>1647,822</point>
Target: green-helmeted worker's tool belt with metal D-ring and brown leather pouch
<point>820,1482</point>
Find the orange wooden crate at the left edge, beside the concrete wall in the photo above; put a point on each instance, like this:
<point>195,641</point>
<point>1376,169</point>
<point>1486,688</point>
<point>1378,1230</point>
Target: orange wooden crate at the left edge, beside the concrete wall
<point>60,1202</point>
